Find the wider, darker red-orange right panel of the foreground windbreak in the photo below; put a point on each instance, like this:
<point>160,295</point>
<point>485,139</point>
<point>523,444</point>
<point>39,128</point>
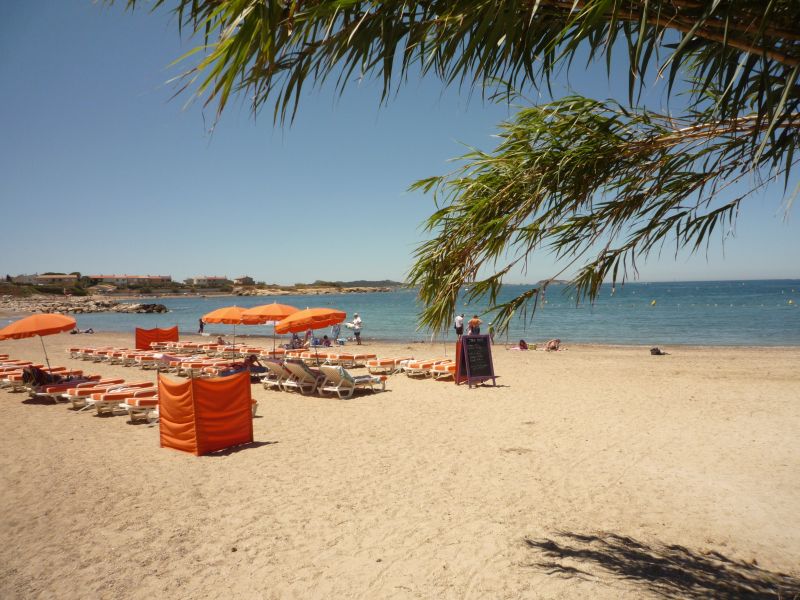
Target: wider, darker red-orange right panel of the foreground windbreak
<point>223,412</point>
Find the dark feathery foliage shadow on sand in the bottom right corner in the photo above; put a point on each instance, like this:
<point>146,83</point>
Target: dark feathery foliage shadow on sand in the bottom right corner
<point>666,570</point>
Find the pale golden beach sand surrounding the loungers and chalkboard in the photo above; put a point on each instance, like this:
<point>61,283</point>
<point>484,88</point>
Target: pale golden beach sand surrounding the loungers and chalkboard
<point>597,472</point>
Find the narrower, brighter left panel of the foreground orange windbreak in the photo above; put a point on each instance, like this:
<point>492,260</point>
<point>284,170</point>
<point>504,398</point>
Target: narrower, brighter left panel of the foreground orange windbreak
<point>176,415</point>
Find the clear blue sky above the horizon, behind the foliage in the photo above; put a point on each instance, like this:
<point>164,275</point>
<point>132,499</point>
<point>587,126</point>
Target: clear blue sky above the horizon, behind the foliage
<point>102,172</point>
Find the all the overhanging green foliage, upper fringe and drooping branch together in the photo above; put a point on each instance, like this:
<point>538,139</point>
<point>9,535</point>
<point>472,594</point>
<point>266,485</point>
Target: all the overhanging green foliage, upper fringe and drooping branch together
<point>598,184</point>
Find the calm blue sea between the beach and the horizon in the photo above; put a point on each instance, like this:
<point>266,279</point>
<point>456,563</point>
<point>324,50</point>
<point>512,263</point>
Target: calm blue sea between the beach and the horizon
<point>717,313</point>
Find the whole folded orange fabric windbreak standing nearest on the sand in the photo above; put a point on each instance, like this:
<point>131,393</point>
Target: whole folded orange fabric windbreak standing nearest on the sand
<point>205,415</point>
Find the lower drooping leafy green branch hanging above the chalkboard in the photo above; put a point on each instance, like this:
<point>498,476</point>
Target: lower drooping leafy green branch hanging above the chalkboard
<point>588,181</point>
